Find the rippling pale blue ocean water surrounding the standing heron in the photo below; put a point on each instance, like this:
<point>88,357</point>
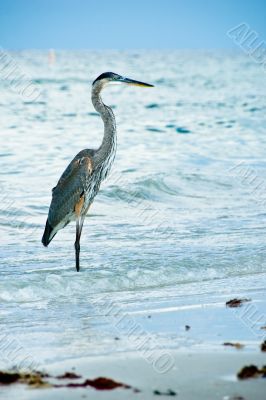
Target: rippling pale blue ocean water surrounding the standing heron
<point>180,220</point>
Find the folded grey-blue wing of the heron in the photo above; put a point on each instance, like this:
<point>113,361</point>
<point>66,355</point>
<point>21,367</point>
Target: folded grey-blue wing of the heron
<point>70,187</point>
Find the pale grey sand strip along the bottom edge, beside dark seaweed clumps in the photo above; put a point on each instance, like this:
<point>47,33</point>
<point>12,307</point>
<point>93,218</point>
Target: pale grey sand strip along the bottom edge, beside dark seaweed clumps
<point>196,375</point>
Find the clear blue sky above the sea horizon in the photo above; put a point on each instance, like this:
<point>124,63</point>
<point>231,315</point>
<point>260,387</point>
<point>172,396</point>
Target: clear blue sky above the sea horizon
<point>116,24</point>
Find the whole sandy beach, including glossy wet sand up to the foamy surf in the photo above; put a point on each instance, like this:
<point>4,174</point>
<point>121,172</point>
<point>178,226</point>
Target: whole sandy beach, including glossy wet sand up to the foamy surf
<point>199,366</point>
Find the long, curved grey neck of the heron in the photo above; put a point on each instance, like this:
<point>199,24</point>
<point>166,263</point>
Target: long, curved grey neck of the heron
<point>108,146</point>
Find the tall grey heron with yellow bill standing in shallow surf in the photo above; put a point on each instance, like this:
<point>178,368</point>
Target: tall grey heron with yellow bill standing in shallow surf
<point>81,180</point>
